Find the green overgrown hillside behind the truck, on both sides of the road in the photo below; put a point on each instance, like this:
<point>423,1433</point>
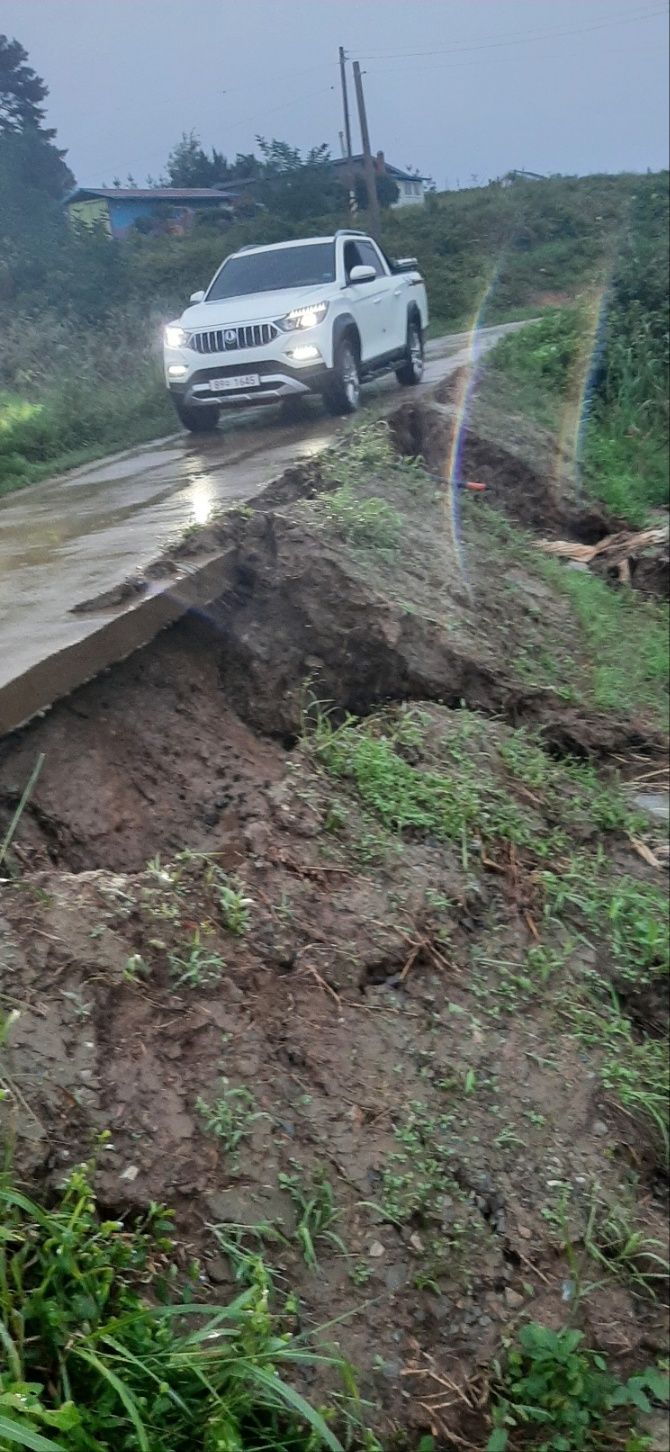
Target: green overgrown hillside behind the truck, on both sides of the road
<point>88,370</point>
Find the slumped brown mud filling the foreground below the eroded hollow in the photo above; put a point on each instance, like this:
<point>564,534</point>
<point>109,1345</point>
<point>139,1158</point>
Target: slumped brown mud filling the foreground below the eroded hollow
<point>360,1003</point>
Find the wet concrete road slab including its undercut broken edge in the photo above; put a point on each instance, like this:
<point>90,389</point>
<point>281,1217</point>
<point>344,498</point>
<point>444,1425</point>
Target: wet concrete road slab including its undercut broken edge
<point>78,537</point>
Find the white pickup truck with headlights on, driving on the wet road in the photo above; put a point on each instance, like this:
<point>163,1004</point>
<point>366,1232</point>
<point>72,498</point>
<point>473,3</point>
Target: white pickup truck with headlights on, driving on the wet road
<point>316,316</point>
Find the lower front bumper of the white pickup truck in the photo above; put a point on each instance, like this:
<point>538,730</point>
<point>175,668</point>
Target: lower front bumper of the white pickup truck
<point>277,381</point>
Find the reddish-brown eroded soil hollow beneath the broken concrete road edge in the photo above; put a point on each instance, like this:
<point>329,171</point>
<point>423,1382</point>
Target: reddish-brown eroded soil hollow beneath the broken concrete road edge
<point>146,759</point>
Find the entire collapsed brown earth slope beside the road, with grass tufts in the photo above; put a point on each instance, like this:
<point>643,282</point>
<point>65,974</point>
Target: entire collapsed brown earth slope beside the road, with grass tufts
<point>335,908</point>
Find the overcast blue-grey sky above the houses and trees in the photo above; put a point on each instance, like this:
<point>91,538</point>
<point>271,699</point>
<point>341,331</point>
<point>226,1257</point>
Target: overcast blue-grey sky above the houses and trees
<point>461,89</point>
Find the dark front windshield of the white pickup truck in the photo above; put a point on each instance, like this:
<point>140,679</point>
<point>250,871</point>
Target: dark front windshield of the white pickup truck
<point>274,271</point>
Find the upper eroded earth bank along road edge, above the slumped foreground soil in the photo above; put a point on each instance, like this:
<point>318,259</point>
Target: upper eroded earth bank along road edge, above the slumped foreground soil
<point>162,751</point>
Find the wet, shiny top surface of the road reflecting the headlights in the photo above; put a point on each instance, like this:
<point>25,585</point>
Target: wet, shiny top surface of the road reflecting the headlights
<point>70,539</point>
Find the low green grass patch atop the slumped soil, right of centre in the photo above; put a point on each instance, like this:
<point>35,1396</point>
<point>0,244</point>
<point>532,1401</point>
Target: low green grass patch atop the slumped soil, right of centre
<point>469,782</point>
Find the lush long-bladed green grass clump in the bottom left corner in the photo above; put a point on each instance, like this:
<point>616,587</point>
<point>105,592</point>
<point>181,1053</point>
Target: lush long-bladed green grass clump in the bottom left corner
<point>100,1347</point>
